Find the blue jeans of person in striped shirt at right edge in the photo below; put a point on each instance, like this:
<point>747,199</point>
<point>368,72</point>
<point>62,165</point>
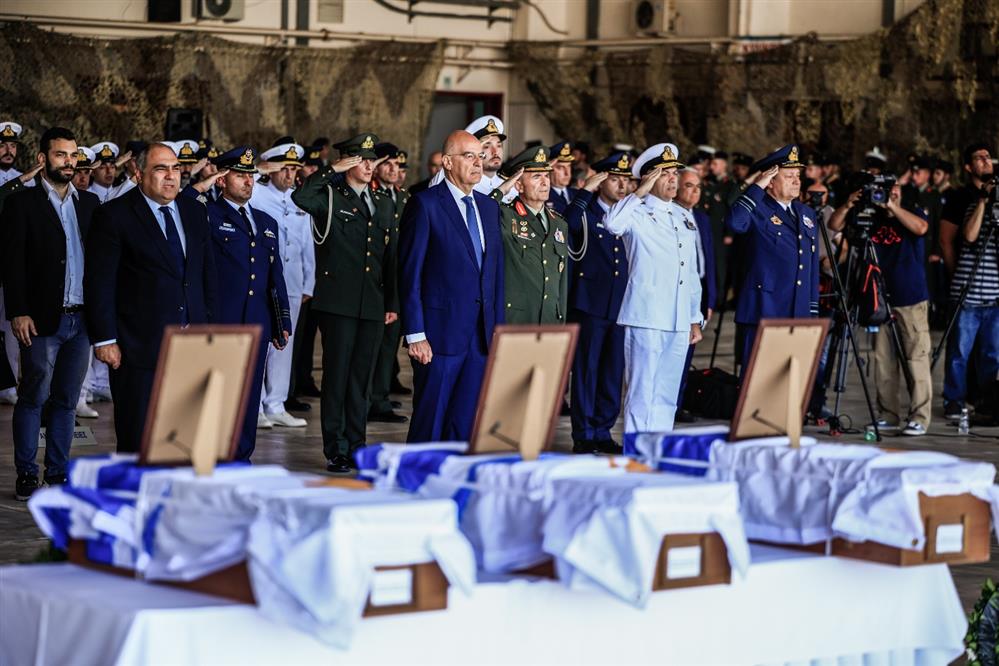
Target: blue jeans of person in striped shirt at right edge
<point>979,322</point>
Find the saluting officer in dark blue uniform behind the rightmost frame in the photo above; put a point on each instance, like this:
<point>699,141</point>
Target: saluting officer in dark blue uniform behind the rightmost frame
<point>782,276</point>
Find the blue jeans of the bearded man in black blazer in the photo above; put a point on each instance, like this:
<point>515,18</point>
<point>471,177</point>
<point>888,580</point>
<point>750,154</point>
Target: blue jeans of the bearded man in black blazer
<point>52,369</point>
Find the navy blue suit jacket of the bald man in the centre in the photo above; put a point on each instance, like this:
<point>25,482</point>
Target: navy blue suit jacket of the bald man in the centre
<point>444,293</point>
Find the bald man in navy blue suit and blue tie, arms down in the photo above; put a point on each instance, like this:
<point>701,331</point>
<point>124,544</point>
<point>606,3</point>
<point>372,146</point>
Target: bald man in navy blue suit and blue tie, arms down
<point>451,258</point>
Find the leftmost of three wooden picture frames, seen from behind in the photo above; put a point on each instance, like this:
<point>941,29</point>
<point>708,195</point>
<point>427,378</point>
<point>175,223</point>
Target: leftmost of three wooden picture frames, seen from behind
<point>203,378</point>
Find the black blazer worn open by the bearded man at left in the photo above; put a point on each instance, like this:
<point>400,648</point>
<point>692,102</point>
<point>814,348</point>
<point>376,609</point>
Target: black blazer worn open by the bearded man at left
<point>34,254</point>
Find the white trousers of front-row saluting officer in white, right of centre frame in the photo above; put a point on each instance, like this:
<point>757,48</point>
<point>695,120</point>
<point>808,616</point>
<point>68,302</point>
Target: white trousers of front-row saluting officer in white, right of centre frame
<point>654,362</point>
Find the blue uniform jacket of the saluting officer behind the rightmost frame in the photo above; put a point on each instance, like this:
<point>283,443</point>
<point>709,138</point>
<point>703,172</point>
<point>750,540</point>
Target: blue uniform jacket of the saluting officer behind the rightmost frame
<point>782,264</point>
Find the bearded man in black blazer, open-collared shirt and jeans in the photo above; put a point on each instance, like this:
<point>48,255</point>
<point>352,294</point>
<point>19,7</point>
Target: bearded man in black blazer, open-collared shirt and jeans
<point>44,228</point>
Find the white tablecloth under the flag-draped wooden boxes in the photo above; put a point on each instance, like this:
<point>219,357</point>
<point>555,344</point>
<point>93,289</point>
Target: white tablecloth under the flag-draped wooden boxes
<point>791,607</point>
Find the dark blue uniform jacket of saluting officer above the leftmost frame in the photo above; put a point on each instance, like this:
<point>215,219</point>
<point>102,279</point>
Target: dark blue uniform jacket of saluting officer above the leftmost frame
<point>249,269</point>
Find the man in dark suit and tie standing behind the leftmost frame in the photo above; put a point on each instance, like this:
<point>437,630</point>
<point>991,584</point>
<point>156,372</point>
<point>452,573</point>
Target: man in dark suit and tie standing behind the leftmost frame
<point>149,265</point>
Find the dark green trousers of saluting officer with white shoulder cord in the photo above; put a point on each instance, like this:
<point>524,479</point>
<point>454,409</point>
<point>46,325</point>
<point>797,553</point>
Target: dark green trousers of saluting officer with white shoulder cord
<point>350,348</point>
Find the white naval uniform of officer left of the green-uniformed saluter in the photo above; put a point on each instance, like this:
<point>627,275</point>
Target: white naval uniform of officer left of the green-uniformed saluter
<point>298,258</point>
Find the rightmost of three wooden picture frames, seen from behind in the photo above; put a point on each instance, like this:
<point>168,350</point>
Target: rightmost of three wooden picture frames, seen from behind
<point>778,379</point>
